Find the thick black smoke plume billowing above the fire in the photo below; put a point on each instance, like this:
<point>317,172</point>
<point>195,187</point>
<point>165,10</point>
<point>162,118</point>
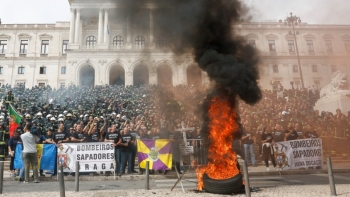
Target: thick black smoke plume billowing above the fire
<point>206,29</point>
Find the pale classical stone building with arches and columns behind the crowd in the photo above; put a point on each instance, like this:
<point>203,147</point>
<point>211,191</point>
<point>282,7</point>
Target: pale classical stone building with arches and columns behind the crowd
<point>102,44</point>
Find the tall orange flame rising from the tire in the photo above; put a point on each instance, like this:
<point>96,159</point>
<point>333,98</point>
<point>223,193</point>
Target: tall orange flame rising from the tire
<point>222,160</point>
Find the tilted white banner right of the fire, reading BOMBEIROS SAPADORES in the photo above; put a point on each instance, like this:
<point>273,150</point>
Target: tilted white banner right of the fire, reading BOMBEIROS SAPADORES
<point>299,153</point>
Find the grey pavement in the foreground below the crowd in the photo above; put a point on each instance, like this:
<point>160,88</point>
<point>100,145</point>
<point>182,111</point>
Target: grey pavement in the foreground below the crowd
<point>265,183</point>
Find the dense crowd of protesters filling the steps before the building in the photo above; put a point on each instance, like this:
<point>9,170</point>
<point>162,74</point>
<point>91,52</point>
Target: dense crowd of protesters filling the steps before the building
<point>121,114</point>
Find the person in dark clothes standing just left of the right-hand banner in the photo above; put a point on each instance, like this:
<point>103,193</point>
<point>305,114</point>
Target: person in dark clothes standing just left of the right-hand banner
<point>268,152</point>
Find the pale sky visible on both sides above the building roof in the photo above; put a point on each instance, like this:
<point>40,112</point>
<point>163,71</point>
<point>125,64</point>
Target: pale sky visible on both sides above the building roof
<point>310,11</point>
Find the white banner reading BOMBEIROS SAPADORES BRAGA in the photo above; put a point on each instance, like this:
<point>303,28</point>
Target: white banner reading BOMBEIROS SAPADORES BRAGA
<point>97,156</point>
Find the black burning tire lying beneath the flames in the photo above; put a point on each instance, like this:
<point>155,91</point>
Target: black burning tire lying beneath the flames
<point>225,186</point>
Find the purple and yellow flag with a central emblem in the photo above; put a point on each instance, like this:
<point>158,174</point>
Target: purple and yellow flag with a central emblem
<point>157,152</point>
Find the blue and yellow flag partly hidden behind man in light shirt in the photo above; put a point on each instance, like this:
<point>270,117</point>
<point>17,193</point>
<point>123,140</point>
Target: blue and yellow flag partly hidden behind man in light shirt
<point>46,156</point>
